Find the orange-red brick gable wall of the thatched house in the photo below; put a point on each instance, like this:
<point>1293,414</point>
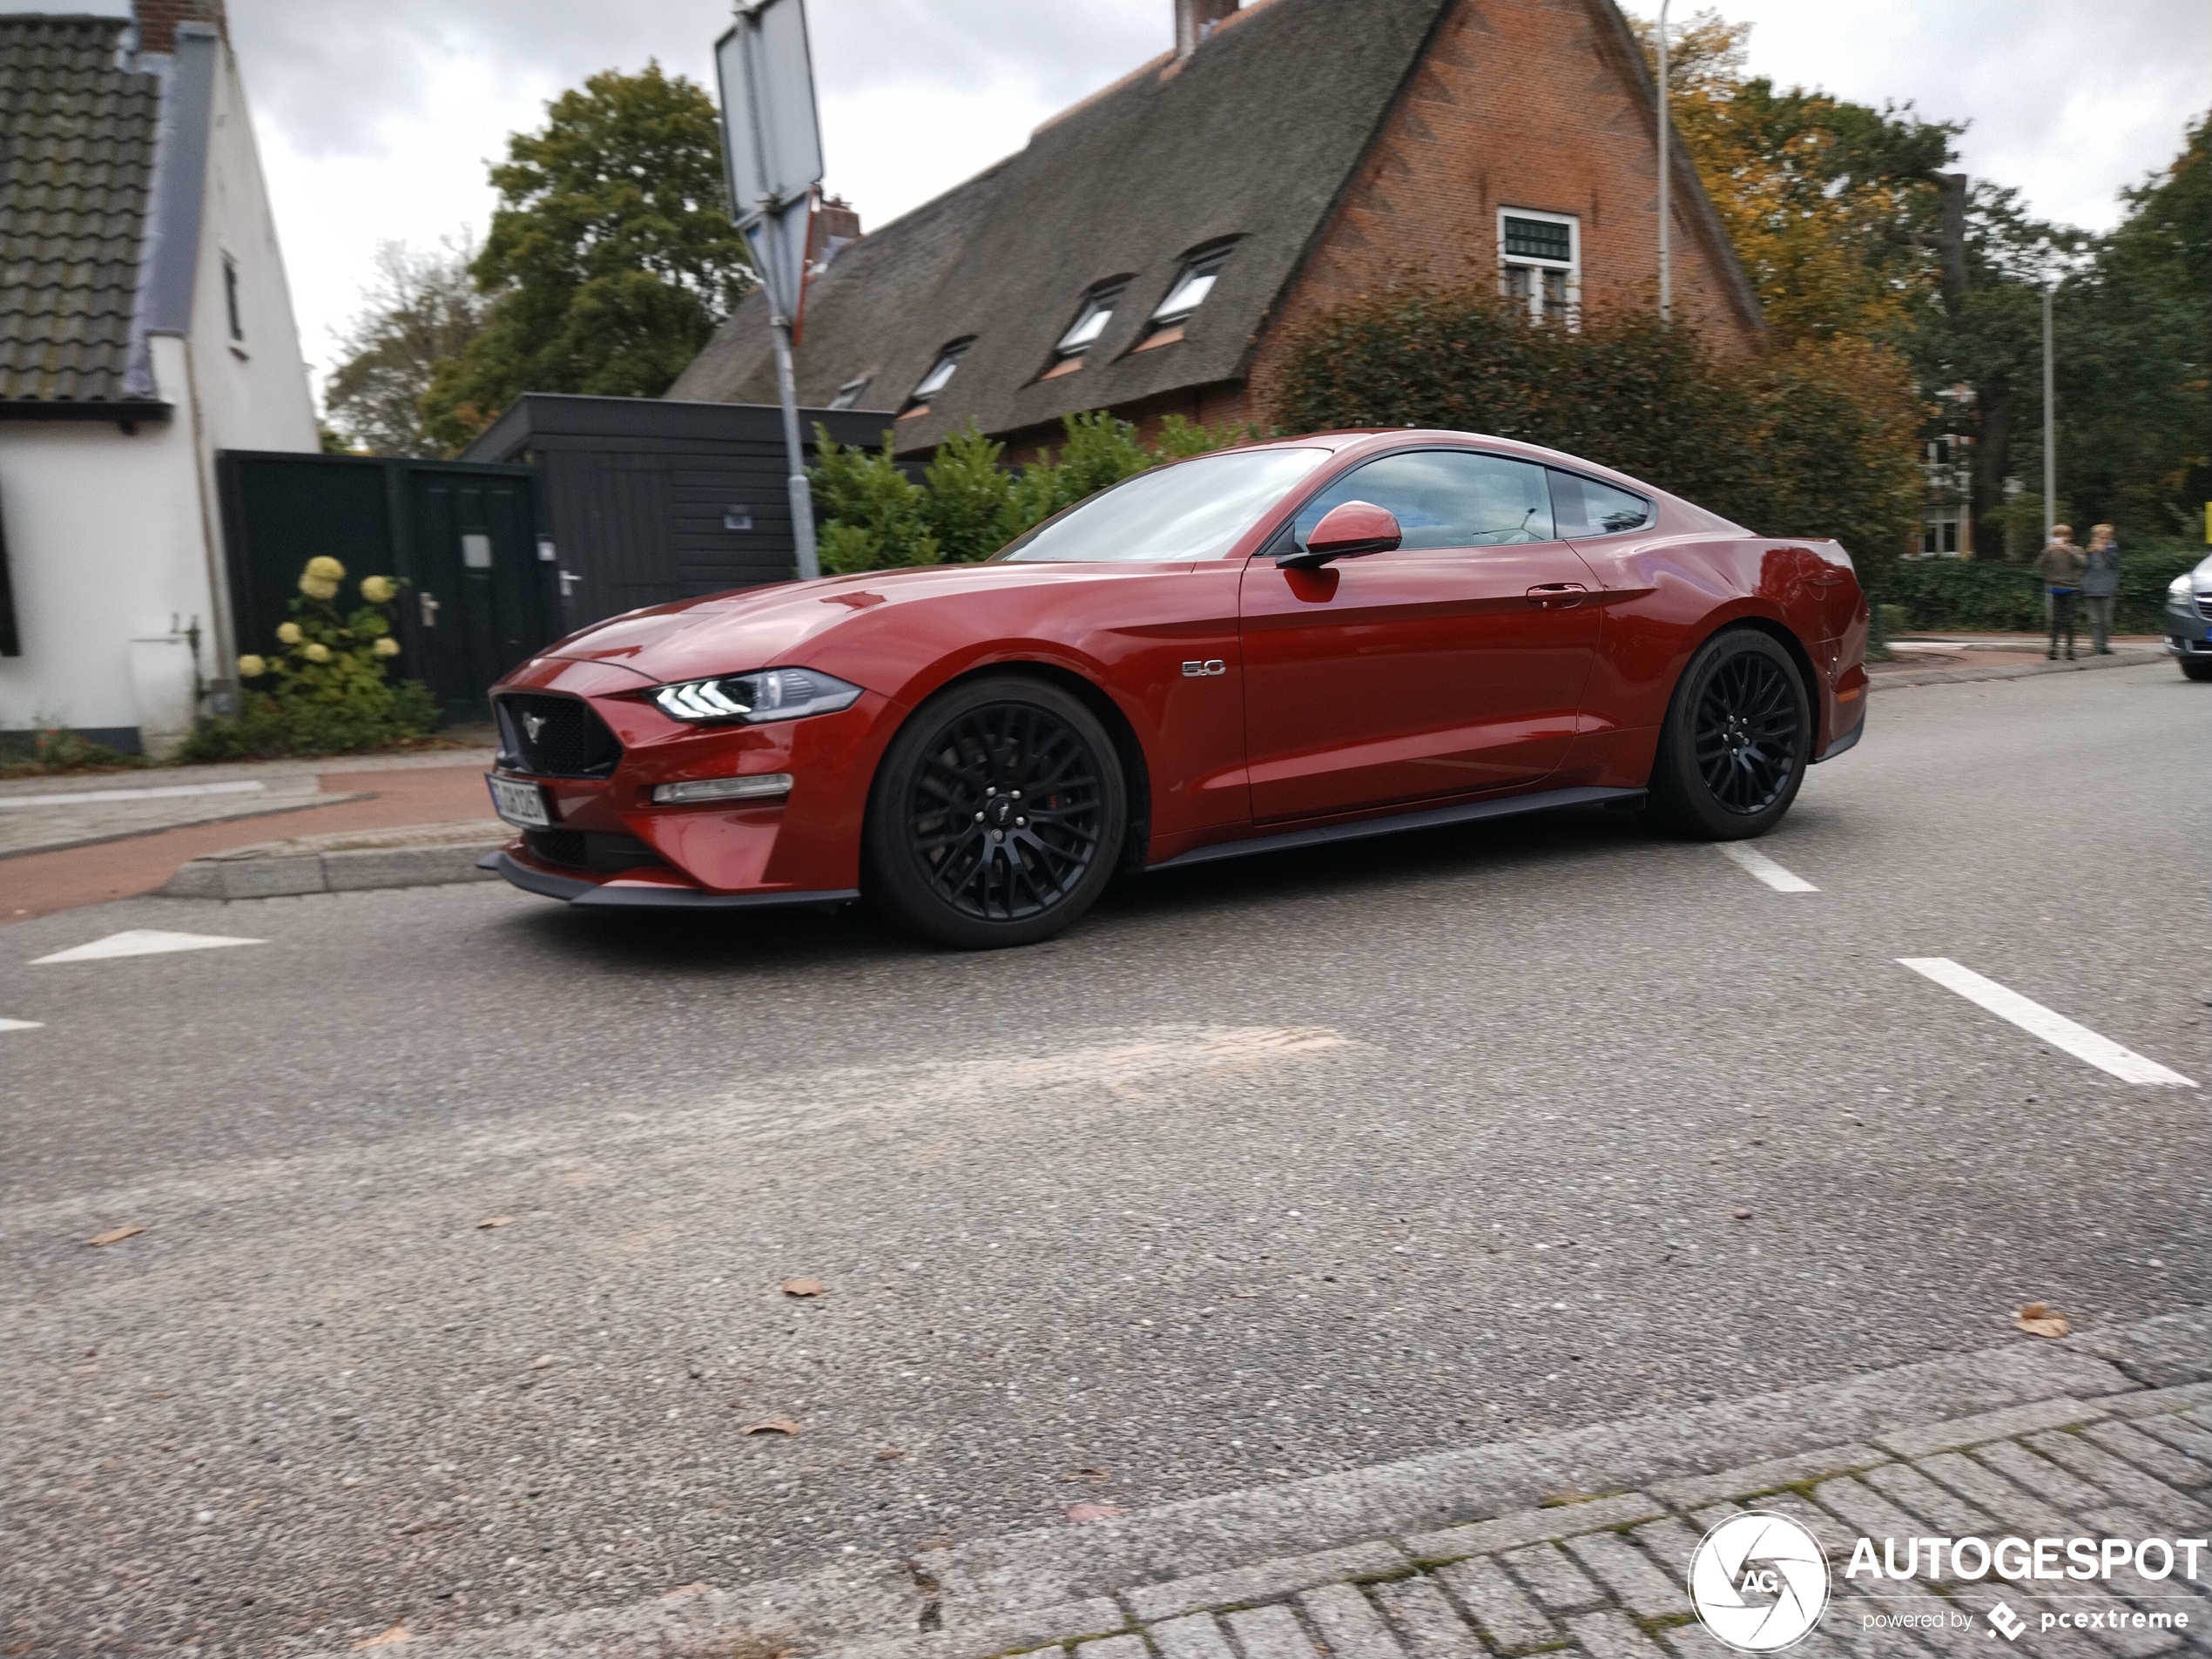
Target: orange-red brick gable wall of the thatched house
<point>1516,105</point>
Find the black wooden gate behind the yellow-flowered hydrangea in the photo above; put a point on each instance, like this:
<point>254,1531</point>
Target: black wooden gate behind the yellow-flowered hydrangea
<point>461,536</point>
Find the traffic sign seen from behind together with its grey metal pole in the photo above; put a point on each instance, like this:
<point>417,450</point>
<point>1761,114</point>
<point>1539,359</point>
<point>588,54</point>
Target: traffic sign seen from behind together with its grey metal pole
<point>773,149</point>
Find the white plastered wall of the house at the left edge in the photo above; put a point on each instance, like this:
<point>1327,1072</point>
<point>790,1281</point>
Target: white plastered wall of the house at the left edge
<point>105,547</point>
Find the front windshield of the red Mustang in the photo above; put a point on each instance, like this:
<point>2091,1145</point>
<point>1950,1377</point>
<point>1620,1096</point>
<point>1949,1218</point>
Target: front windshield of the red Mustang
<point>1193,510</point>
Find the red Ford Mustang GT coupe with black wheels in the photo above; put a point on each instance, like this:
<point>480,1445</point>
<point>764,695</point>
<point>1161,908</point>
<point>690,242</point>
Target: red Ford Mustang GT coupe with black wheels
<point>1269,647</point>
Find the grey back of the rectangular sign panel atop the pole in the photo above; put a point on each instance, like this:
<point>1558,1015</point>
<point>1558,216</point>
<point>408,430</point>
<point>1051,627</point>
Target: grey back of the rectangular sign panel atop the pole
<point>773,140</point>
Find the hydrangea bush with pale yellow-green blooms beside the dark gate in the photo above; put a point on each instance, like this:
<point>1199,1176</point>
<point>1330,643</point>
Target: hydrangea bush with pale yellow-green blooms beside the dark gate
<point>331,689</point>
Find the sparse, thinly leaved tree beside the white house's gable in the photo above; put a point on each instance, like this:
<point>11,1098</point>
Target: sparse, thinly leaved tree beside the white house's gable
<point>417,311</point>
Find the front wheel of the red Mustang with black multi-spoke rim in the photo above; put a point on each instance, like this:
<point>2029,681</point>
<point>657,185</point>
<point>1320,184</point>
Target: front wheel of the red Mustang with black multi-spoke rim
<point>997,815</point>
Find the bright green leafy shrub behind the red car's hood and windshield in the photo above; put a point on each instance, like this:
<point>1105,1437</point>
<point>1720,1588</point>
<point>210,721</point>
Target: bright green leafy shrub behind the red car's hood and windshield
<point>968,505</point>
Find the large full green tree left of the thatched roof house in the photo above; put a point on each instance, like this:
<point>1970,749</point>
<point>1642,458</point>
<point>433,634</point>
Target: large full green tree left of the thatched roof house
<point>609,260</point>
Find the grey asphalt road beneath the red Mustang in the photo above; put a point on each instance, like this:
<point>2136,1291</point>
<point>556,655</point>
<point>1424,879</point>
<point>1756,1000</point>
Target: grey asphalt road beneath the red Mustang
<point>1262,1171</point>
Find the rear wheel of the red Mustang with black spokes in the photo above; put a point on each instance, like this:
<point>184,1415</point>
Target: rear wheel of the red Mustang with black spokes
<point>1735,742</point>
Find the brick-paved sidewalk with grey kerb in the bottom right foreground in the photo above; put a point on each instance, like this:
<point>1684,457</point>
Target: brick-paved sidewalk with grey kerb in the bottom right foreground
<point>1565,1545</point>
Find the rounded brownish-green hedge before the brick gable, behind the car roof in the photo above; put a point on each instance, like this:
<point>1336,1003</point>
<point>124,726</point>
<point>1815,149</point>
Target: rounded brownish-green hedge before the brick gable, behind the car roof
<point>1813,441</point>
